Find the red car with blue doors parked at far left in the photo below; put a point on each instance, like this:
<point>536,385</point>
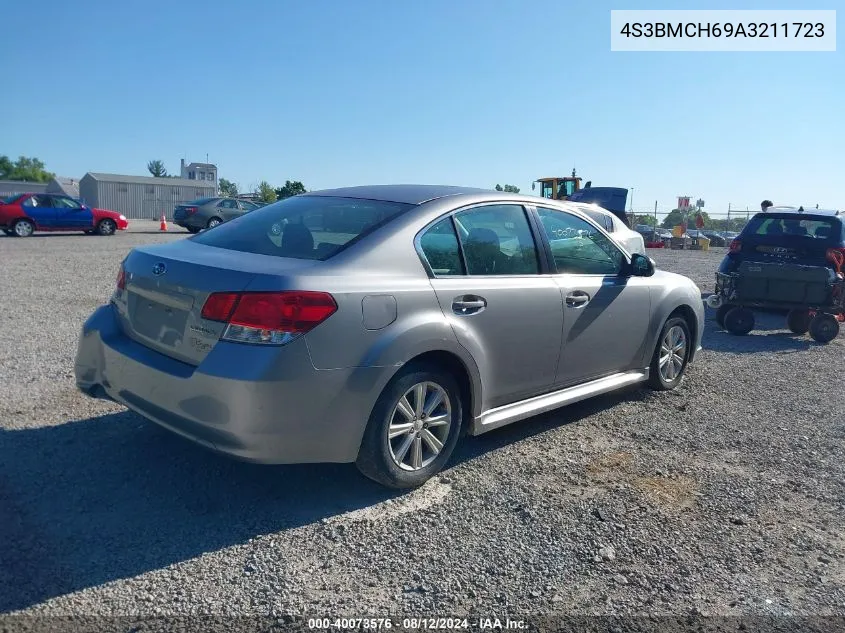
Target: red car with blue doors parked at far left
<point>23,214</point>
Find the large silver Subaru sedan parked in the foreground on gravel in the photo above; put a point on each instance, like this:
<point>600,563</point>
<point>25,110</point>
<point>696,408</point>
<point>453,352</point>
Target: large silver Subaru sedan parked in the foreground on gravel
<point>376,325</point>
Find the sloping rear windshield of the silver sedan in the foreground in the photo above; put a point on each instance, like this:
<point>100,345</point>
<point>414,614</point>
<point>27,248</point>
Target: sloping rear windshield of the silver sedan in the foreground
<point>302,227</point>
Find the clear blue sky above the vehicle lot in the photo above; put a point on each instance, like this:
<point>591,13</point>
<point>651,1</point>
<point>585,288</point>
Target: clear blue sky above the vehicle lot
<point>336,92</point>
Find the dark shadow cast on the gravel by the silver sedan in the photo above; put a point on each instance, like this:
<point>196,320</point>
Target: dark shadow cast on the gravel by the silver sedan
<point>89,502</point>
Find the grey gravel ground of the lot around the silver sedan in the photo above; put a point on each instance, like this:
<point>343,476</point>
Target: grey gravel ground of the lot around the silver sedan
<point>723,497</point>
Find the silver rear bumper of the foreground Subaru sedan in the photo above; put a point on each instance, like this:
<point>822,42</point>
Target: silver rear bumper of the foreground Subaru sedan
<point>265,405</point>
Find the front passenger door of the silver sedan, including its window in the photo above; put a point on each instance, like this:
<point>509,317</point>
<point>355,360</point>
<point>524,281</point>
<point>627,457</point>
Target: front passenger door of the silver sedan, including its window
<point>606,311</point>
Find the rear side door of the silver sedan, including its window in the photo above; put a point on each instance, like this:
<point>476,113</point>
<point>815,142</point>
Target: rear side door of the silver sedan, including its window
<point>486,272</point>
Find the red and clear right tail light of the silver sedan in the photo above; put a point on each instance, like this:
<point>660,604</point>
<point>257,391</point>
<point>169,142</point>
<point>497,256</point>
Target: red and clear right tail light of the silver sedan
<point>268,317</point>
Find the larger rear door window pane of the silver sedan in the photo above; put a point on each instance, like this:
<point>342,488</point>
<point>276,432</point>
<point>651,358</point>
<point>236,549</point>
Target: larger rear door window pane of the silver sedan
<point>497,240</point>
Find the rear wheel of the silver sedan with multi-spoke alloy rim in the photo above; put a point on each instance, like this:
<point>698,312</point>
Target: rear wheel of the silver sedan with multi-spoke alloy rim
<point>390,460</point>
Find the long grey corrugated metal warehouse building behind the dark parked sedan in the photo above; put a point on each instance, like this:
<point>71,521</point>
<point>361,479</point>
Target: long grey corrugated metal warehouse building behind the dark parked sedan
<point>140,197</point>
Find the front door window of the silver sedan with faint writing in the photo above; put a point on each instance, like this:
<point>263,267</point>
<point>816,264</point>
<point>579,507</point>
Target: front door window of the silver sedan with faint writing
<point>578,247</point>
